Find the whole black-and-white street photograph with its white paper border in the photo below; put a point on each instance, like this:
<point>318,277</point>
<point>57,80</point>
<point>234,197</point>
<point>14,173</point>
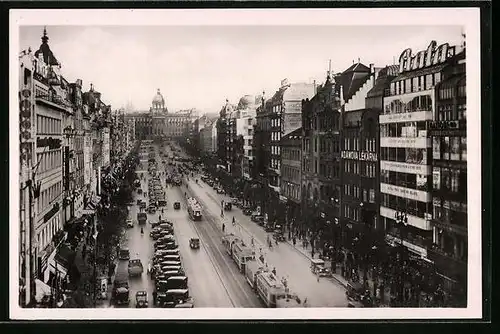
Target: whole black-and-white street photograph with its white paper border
<point>324,164</point>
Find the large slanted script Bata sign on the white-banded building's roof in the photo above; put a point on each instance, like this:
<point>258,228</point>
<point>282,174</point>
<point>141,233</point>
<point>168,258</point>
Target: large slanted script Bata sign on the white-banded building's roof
<point>432,56</point>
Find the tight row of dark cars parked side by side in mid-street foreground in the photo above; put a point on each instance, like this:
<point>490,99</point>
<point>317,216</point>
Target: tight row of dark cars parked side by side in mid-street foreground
<point>171,282</point>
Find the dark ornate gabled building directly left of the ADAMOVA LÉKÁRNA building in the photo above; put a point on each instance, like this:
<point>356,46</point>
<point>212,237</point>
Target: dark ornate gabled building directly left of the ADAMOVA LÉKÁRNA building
<point>320,193</point>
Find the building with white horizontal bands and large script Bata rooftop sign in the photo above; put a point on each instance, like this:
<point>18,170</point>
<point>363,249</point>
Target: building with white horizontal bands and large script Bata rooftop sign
<point>406,148</point>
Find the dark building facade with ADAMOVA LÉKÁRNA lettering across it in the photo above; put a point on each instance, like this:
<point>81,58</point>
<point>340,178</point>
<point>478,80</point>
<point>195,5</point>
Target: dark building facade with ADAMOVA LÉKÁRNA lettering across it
<point>359,161</point>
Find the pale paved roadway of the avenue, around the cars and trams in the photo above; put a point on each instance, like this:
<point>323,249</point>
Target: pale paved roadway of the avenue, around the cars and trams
<point>213,278</point>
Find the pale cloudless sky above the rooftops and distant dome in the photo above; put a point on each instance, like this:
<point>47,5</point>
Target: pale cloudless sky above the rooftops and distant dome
<point>201,67</point>
